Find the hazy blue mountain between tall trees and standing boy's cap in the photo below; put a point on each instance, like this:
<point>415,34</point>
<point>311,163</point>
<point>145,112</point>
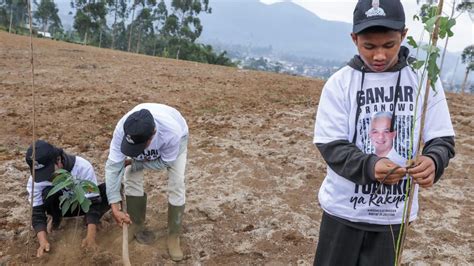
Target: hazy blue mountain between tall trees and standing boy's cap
<point>285,26</point>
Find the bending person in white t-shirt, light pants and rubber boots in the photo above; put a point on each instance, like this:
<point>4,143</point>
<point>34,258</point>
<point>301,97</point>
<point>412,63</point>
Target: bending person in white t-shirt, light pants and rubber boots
<point>150,136</point>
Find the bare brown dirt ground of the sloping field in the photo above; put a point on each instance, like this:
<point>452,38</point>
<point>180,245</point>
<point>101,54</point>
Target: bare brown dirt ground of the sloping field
<point>253,173</point>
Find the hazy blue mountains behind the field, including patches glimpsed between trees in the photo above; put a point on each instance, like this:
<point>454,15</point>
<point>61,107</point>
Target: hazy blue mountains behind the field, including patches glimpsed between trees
<point>283,30</point>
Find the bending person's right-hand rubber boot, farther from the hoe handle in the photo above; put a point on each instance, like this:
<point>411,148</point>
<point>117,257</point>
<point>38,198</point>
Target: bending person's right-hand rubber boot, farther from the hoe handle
<point>175,218</point>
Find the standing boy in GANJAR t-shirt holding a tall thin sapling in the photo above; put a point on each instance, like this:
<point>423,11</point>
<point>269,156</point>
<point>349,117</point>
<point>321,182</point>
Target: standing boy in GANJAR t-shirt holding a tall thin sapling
<point>361,222</point>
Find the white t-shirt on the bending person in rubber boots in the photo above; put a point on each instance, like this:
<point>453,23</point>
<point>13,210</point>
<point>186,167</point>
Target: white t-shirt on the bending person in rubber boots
<point>170,128</point>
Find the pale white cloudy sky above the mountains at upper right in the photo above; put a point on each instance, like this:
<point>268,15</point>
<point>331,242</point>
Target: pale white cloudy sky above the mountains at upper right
<point>341,10</point>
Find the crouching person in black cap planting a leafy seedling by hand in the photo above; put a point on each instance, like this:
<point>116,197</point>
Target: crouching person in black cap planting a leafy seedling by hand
<point>48,159</point>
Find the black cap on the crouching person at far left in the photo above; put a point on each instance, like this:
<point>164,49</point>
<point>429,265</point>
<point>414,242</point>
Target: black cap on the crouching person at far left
<point>45,158</point>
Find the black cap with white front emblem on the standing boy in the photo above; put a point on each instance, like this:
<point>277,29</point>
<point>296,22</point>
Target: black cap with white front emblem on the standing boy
<point>382,13</point>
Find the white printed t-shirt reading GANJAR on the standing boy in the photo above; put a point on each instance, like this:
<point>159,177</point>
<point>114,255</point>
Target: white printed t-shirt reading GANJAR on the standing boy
<point>335,120</point>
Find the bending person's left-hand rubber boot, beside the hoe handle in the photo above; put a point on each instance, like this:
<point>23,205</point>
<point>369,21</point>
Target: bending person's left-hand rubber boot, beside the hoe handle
<point>136,208</point>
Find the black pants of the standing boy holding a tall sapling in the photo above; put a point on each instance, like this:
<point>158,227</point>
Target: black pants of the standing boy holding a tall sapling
<point>340,244</point>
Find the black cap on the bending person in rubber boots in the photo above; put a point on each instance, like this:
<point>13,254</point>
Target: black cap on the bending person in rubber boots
<point>138,128</point>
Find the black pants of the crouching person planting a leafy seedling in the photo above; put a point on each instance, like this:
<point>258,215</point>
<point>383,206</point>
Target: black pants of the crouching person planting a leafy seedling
<point>99,206</point>
